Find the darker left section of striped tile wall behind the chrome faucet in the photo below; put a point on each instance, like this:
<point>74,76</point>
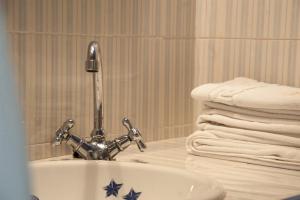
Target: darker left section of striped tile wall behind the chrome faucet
<point>148,64</point>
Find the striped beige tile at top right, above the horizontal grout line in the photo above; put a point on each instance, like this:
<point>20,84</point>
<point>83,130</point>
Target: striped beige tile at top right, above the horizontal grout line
<point>263,19</point>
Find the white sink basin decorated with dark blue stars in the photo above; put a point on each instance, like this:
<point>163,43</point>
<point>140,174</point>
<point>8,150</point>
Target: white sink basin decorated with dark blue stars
<point>103,180</point>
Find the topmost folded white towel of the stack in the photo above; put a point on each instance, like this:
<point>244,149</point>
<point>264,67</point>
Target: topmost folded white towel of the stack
<point>248,93</point>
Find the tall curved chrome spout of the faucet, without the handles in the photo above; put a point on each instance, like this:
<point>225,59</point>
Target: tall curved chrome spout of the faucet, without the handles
<point>93,65</point>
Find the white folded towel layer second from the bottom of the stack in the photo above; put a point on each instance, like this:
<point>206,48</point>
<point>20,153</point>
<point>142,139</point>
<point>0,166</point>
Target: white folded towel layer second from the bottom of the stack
<point>250,136</point>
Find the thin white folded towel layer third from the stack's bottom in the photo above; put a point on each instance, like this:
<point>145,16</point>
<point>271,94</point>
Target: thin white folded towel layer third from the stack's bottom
<point>285,129</point>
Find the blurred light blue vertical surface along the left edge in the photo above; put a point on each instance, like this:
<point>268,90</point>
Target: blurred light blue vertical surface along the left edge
<point>13,166</point>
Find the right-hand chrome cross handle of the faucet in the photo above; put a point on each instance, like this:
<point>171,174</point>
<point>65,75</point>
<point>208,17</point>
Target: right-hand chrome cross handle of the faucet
<point>134,134</point>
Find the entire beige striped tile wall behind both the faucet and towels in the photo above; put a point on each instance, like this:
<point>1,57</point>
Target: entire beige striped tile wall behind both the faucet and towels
<point>154,53</point>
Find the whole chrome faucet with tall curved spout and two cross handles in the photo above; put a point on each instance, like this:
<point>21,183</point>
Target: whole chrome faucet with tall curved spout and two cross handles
<point>97,147</point>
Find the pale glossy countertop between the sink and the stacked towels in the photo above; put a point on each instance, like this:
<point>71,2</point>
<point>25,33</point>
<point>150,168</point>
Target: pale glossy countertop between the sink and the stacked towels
<point>240,180</point>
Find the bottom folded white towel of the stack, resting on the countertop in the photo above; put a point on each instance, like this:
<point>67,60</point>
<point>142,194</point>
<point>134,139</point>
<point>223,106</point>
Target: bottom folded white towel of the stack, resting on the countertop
<point>205,143</point>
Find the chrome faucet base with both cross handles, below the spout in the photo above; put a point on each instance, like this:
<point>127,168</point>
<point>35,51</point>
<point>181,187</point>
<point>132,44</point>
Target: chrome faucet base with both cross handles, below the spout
<point>97,147</point>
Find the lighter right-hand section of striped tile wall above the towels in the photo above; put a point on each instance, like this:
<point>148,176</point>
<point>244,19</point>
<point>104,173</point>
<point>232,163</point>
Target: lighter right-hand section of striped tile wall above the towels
<point>259,39</point>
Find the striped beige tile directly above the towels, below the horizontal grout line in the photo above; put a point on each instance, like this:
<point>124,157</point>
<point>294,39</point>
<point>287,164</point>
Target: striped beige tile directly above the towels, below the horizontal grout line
<point>273,61</point>
